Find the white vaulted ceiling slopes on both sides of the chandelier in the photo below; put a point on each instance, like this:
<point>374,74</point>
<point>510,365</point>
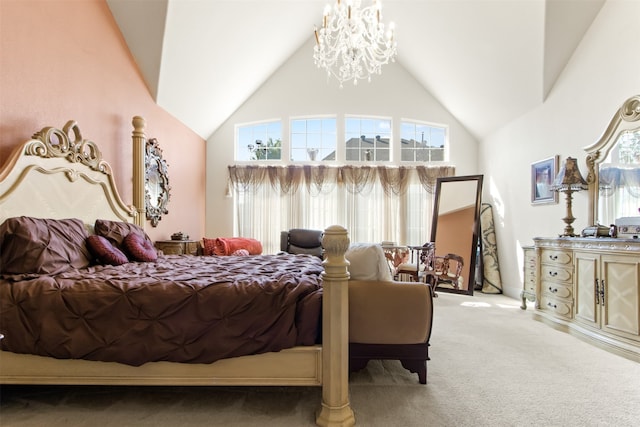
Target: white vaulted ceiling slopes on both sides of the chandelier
<point>486,61</point>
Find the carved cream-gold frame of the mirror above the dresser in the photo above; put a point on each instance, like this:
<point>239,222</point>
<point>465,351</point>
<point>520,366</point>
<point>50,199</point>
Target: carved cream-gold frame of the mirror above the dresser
<point>625,119</point>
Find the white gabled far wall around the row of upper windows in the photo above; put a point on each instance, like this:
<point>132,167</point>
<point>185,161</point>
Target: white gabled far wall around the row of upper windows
<point>299,88</point>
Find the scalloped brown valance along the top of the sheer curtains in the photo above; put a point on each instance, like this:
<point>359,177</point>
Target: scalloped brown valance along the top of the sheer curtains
<point>321,178</point>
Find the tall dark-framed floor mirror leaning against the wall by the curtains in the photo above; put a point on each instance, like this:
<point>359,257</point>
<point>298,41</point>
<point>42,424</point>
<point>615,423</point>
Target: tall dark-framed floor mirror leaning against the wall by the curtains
<point>454,230</point>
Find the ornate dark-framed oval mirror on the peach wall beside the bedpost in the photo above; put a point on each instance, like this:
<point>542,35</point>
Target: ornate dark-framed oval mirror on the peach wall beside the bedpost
<point>156,183</point>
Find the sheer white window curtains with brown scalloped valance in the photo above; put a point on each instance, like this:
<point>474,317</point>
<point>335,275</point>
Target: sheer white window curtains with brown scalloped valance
<point>374,203</point>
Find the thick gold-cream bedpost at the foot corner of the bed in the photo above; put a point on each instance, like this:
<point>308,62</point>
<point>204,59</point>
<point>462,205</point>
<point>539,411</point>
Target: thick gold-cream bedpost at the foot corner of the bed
<point>336,409</point>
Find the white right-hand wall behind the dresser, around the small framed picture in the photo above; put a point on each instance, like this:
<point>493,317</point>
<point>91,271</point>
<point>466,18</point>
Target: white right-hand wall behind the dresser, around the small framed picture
<point>603,72</point>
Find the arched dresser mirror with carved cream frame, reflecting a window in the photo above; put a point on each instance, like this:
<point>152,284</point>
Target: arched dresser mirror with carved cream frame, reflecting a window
<point>613,164</point>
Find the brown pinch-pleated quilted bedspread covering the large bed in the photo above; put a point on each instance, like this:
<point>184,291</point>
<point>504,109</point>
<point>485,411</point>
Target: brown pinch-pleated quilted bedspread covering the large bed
<point>180,309</point>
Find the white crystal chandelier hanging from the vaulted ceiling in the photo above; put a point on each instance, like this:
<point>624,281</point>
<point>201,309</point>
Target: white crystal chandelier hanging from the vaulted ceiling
<point>352,43</point>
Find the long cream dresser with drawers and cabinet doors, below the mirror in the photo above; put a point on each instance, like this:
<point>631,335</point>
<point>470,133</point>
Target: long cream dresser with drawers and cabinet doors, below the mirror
<point>590,287</point>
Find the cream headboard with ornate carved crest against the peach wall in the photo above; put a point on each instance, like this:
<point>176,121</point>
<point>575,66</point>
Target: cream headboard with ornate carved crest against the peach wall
<point>58,174</point>
